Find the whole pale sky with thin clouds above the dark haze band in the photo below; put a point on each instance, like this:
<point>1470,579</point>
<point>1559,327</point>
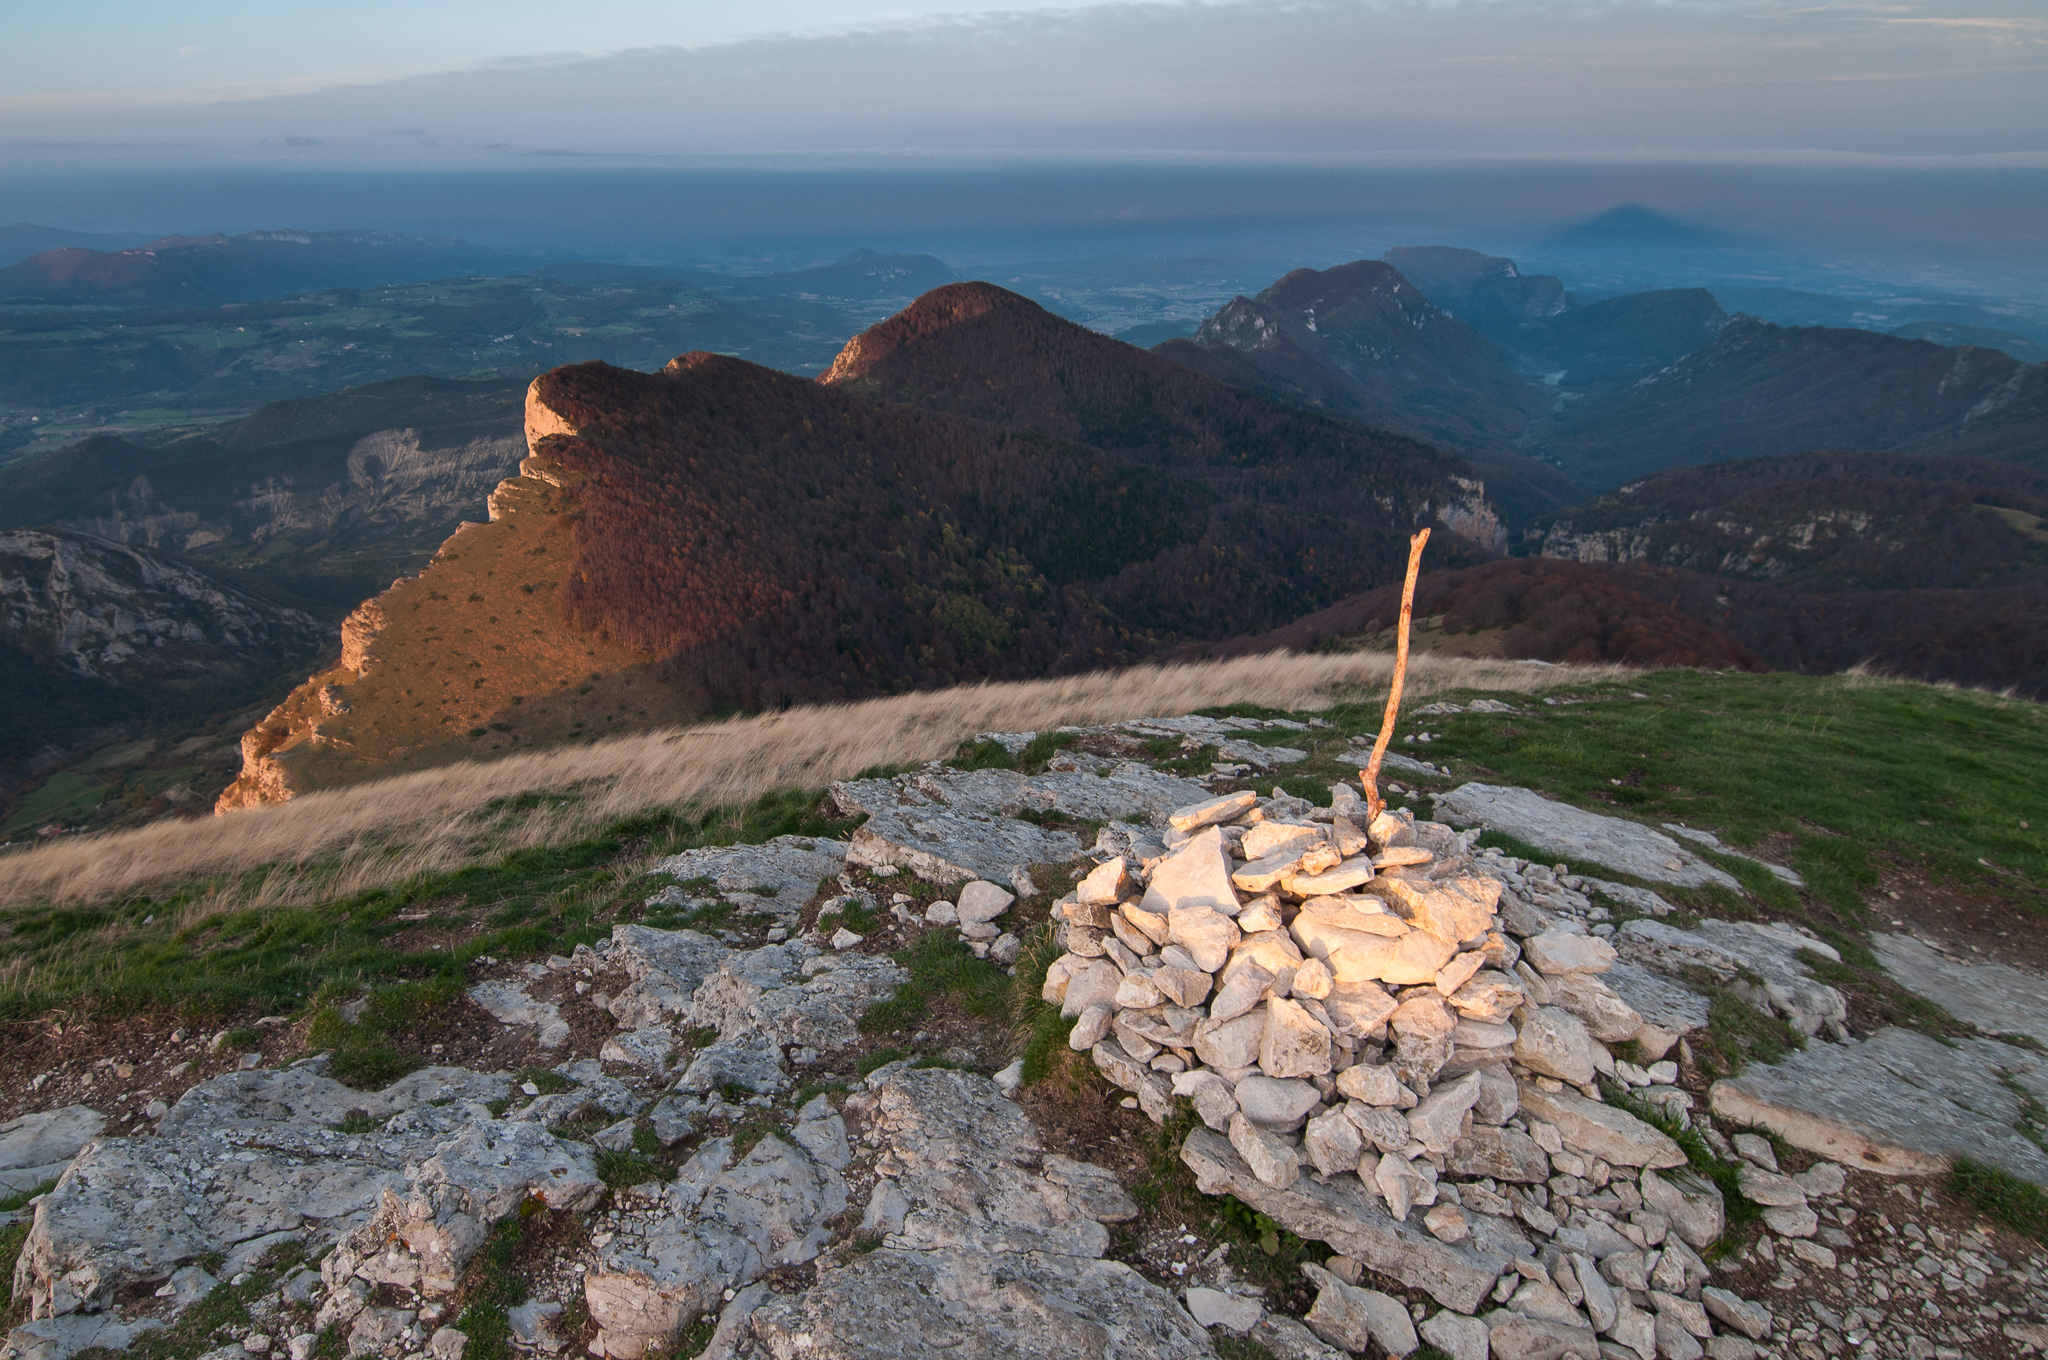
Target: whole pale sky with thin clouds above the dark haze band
<point>1398,83</point>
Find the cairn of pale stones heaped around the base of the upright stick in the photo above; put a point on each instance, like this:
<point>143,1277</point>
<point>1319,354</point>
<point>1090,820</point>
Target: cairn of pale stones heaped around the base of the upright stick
<point>1383,1035</point>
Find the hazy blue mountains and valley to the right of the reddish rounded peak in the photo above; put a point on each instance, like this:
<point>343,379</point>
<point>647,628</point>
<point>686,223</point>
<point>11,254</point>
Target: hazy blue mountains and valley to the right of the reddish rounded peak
<point>1558,398</point>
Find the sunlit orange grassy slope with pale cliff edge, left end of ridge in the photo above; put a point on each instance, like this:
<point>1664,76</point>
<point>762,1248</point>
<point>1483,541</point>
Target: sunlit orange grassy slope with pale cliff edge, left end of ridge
<point>466,658</point>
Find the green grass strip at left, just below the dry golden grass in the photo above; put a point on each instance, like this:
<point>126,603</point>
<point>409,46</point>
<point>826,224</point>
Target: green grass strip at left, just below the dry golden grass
<point>278,960</point>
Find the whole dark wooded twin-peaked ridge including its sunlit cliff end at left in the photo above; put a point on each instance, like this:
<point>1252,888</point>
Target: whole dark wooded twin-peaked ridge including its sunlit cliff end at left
<point>720,534</point>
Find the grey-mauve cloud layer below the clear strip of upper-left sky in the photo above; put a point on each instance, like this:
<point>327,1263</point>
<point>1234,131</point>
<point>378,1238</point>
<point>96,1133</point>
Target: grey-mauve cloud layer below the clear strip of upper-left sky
<point>1502,79</point>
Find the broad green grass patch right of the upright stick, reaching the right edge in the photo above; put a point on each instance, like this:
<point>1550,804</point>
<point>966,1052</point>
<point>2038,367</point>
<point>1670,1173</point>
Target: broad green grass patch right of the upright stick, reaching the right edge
<point>1844,771</point>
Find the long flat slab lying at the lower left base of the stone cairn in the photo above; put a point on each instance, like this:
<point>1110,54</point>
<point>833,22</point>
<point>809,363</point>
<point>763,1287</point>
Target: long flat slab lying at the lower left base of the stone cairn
<point>1357,1224</point>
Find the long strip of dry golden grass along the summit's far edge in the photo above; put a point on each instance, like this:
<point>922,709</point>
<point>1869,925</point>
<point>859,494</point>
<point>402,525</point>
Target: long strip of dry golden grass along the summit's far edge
<point>347,841</point>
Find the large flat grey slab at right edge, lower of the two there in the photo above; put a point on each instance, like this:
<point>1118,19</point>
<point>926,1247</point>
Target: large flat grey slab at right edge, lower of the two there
<point>1895,1103</point>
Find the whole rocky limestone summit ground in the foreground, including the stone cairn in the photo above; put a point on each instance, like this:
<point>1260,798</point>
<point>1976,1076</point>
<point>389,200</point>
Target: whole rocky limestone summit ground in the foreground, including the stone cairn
<point>1451,1089</point>
